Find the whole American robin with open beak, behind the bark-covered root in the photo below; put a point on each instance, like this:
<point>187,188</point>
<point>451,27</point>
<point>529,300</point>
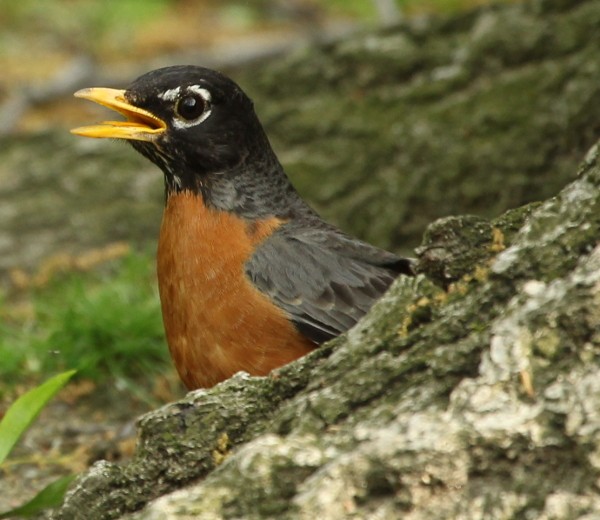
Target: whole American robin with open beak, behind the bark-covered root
<point>250,277</point>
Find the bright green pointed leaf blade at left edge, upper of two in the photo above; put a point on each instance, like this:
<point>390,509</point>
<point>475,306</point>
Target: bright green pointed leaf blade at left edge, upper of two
<point>25,409</point>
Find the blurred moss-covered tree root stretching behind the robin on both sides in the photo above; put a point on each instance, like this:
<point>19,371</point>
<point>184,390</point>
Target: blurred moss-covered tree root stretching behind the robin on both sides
<point>383,132</point>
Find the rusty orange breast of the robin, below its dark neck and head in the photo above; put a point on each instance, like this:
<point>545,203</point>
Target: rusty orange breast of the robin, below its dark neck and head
<point>217,323</point>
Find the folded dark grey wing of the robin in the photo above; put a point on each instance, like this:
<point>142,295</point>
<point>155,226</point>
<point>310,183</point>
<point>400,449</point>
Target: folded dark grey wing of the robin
<point>325,281</point>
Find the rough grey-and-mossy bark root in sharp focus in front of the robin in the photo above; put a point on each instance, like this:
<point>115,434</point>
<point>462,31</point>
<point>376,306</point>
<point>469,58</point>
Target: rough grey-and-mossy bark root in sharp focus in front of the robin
<point>479,402</point>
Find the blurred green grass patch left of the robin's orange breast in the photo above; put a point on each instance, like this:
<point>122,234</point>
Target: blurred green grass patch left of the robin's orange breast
<point>104,324</point>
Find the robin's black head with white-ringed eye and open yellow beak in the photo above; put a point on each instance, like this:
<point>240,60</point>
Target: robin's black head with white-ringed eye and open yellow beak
<point>193,122</point>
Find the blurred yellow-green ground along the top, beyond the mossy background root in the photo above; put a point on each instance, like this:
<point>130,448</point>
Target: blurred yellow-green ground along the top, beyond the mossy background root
<point>48,48</point>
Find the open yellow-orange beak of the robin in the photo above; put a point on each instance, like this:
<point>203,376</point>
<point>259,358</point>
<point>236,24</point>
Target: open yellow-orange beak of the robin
<point>141,125</point>
